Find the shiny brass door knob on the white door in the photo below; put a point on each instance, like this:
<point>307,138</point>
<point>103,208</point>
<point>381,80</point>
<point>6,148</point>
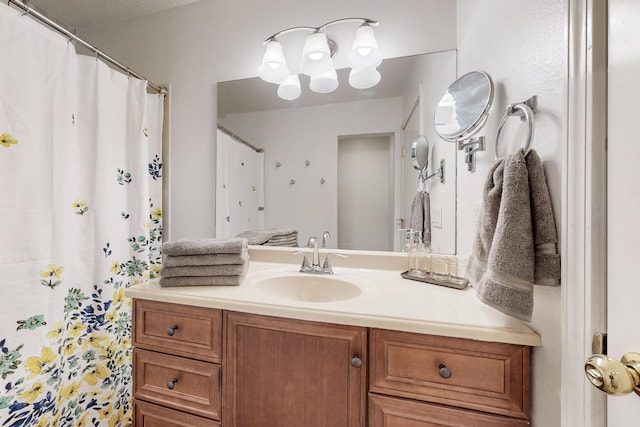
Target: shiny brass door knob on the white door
<point>613,376</point>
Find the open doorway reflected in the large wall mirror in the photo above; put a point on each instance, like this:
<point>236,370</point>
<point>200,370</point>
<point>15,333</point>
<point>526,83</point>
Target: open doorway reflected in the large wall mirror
<point>365,188</point>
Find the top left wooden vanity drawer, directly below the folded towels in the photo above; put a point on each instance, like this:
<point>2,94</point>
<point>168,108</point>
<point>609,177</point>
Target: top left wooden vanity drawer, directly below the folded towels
<point>178,329</point>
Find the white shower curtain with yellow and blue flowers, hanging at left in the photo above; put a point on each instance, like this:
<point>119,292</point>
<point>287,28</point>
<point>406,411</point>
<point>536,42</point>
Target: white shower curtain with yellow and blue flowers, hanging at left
<point>80,221</point>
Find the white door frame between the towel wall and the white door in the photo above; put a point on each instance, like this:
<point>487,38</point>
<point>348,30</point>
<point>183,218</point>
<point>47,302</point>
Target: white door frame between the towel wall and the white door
<point>584,210</point>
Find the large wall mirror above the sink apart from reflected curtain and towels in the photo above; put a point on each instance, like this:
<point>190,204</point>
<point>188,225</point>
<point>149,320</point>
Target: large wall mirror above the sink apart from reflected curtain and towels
<point>341,162</point>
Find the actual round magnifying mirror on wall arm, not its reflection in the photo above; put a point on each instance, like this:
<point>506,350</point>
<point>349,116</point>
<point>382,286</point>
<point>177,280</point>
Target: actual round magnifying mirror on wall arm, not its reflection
<point>464,107</point>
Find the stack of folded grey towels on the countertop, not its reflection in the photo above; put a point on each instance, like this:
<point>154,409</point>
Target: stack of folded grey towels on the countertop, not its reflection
<point>197,262</point>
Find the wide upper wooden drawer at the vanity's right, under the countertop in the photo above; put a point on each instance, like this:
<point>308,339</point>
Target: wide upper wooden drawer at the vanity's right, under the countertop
<point>489,377</point>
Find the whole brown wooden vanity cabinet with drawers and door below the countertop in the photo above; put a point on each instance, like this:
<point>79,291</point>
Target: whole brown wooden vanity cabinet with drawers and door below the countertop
<point>201,366</point>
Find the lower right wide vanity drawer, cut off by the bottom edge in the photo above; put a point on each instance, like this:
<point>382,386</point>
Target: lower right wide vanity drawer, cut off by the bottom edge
<point>393,412</point>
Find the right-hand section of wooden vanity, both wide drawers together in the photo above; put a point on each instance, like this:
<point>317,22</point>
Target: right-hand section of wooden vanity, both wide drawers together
<point>450,381</point>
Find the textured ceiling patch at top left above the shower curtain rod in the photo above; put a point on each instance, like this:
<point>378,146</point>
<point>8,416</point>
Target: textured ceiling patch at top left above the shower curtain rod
<point>77,15</point>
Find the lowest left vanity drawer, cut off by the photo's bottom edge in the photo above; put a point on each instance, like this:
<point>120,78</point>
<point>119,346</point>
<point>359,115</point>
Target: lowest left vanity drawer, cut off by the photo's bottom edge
<point>149,415</point>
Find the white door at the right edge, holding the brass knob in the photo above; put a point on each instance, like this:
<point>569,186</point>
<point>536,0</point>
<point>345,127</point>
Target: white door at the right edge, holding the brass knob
<point>623,209</point>
